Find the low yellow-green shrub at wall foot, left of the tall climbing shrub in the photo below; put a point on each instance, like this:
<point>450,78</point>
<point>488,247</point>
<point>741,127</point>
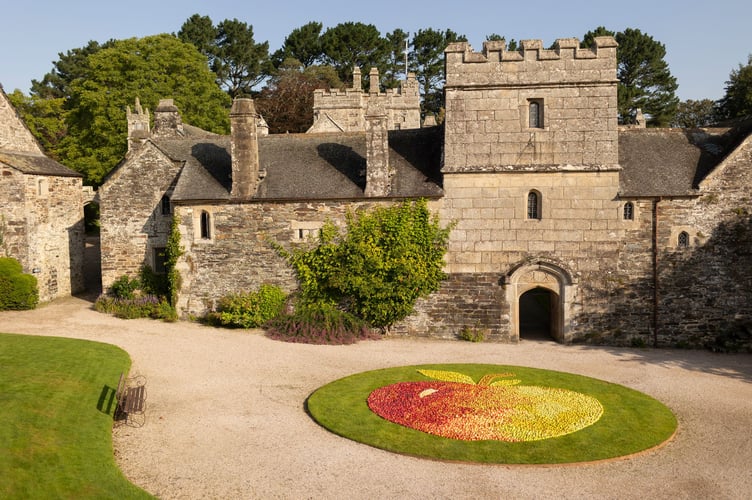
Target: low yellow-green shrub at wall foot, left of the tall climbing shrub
<point>249,310</point>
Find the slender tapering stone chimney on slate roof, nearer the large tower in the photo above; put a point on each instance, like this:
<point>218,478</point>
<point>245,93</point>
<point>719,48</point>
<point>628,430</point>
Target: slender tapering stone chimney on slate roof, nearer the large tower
<point>378,171</point>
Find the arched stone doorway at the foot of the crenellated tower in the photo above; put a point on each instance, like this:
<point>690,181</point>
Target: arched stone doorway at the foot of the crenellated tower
<point>543,289</point>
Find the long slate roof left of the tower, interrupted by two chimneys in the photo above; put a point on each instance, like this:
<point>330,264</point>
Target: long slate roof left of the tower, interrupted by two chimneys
<point>308,166</point>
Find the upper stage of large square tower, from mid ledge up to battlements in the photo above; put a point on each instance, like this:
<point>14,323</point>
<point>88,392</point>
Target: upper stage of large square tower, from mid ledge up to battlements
<point>531,107</point>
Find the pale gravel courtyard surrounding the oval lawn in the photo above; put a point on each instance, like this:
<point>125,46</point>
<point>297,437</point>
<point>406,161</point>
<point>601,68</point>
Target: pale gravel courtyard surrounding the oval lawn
<point>226,419</point>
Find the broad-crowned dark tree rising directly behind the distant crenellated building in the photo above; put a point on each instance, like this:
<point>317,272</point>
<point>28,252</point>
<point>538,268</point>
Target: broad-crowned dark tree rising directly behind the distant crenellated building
<point>349,44</point>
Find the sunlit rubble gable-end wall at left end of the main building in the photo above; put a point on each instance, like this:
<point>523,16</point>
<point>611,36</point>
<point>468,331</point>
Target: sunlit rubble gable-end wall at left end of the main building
<point>132,223</point>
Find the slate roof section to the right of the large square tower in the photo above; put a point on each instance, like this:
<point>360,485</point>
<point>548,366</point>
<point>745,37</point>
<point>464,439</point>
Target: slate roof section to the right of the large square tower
<point>669,162</point>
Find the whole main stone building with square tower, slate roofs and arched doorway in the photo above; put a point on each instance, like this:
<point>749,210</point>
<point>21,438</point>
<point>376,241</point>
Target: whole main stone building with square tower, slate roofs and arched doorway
<point>566,225</point>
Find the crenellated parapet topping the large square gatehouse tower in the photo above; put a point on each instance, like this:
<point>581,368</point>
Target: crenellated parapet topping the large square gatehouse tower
<point>531,64</point>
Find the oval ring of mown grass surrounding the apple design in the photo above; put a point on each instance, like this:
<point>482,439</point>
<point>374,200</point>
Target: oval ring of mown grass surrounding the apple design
<point>631,421</point>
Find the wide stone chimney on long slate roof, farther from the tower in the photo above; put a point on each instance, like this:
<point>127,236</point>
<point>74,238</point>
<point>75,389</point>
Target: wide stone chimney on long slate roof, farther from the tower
<point>244,148</point>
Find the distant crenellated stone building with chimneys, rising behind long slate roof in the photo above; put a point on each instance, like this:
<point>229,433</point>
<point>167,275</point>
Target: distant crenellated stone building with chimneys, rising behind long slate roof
<point>345,110</point>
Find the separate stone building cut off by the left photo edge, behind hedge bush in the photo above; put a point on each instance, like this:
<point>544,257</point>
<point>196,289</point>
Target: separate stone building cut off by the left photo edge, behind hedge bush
<point>41,210</point>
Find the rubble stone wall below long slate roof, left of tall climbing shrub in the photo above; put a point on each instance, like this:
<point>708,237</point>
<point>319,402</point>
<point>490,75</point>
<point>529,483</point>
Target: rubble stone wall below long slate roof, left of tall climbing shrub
<point>238,256</point>
